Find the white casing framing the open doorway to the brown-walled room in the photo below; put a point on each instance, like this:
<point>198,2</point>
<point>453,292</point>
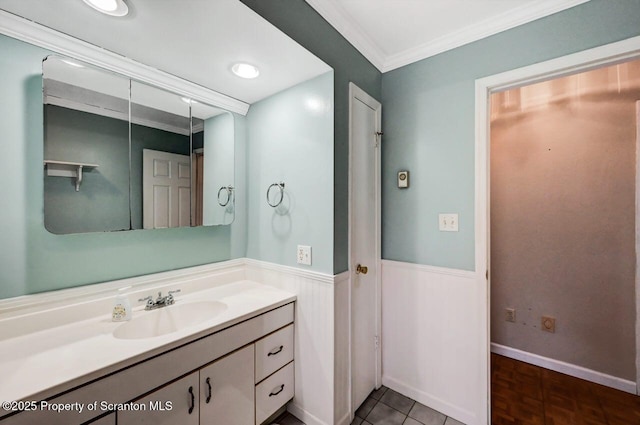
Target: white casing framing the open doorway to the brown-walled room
<point>582,61</point>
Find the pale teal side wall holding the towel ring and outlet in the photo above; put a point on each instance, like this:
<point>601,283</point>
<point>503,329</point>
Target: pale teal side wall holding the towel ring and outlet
<point>290,140</point>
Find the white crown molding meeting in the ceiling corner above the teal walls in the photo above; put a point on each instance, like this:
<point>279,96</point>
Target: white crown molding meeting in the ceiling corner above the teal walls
<point>331,11</point>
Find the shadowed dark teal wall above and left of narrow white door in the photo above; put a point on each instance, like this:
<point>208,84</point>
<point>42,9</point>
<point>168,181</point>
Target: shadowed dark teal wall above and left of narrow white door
<point>303,24</point>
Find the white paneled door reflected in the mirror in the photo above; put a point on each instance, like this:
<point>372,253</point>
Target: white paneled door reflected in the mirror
<point>166,189</point>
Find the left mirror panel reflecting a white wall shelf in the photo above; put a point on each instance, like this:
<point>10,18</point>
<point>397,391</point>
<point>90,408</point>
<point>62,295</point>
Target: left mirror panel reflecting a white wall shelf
<point>86,148</point>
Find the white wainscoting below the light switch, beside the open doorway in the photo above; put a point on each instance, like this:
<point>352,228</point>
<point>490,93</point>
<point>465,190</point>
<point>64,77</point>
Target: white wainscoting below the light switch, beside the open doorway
<point>434,338</point>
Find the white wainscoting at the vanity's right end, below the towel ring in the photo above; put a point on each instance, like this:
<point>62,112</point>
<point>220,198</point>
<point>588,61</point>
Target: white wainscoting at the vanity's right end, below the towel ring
<point>314,337</point>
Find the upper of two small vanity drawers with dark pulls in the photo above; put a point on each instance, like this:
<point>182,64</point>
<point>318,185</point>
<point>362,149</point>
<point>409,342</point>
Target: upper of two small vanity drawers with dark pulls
<point>273,352</point>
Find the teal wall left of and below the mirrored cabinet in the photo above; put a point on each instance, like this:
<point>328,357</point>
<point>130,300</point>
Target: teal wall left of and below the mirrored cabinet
<point>34,260</point>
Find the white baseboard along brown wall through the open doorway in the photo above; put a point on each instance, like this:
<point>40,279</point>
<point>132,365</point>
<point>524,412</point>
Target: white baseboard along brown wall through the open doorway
<point>566,368</point>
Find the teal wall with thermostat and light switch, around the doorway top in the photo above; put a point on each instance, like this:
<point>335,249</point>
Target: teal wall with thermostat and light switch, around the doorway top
<point>428,121</point>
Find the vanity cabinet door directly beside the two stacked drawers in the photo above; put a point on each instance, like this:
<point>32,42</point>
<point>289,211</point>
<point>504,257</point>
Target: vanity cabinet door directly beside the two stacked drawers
<point>227,390</point>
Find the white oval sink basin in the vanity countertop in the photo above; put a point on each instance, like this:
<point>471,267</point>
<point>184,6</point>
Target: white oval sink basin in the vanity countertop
<point>169,319</point>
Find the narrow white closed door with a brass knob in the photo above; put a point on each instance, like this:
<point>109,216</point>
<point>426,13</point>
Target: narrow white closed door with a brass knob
<point>364,235</point>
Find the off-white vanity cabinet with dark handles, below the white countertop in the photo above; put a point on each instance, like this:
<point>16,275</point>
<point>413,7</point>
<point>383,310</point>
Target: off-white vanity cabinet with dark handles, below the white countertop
<point>221,365</point>
